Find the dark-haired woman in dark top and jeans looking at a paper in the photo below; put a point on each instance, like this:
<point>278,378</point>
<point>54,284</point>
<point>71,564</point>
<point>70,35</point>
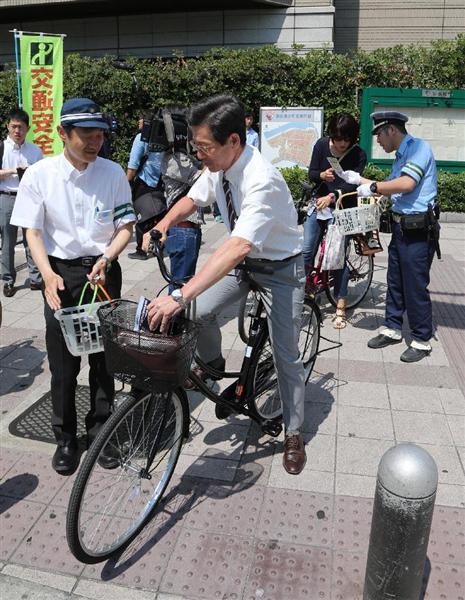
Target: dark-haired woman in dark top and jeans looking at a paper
<point>341,144</point>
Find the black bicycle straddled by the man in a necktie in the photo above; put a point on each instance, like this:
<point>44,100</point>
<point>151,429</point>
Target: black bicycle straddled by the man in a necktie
<point>126,471</point>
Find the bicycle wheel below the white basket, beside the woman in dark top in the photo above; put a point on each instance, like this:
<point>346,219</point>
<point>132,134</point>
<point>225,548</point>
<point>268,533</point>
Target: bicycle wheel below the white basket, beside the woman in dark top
<point>360,276</point>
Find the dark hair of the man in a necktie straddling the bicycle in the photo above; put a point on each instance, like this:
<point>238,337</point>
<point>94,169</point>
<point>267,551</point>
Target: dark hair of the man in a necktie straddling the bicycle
<point>223,114</point>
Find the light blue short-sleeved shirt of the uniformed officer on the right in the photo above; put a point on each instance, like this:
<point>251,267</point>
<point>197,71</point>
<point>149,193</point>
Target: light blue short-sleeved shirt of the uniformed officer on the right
<point>415,159</point>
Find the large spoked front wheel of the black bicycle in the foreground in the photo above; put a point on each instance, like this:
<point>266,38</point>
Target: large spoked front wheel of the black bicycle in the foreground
<point>124,474</point>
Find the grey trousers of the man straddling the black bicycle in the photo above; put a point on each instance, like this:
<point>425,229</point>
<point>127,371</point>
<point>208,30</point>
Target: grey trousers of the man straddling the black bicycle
<point>283,302</point>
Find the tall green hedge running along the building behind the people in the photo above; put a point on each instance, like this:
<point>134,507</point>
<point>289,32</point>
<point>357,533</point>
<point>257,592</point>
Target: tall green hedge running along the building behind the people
<point>259,76</point>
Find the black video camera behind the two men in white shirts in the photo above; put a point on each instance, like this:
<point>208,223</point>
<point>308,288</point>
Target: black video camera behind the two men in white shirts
<point>166,130</point>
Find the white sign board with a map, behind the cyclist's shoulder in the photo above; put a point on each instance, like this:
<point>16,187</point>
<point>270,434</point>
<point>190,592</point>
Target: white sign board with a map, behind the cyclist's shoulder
<point>287,135</point>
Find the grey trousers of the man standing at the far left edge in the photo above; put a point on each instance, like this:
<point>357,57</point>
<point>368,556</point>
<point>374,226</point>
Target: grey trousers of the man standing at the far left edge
<point>9,235</point>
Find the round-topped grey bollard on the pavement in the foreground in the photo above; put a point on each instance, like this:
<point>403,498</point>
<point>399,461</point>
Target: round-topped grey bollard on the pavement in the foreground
<point>402,514</point>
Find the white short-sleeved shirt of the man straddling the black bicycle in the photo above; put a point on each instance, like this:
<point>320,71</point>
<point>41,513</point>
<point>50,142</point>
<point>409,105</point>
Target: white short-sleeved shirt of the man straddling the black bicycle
<point>267,217</point>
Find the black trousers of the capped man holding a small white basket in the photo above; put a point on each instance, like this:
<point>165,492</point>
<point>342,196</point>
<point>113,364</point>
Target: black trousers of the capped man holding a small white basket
<point>65,367</point>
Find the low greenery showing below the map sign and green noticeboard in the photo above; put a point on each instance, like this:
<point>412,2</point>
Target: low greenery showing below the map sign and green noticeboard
<point>451,186</point>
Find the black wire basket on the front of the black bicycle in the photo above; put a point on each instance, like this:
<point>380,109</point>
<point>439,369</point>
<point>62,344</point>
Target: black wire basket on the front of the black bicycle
<point>145,359</point>
